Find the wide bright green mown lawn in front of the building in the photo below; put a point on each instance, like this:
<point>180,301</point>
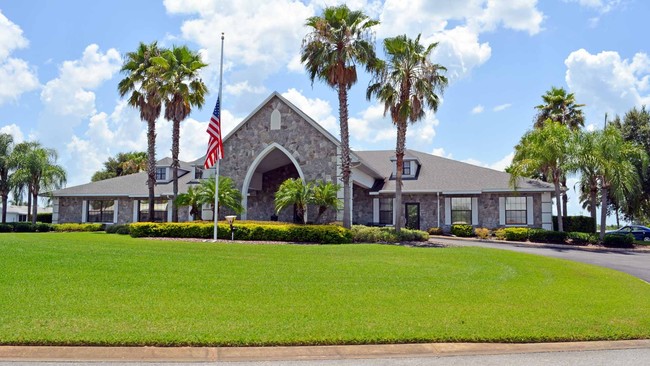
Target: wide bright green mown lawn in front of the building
<point>99,289</point>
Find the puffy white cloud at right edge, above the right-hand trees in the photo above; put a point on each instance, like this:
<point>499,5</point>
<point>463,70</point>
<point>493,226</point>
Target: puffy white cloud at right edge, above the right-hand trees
<point>606,83</point>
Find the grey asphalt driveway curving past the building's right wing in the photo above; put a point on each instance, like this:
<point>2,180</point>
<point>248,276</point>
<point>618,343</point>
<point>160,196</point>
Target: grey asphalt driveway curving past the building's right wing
<point>634,262</point>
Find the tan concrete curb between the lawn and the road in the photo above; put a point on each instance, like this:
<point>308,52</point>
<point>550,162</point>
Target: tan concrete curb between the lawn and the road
<point>232,354</point>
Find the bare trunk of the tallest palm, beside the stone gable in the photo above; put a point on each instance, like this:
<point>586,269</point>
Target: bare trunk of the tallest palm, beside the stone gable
<point>346,171</point>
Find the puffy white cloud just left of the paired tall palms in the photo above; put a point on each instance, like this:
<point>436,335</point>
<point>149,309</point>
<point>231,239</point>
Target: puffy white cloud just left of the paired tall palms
<point>70,93</point>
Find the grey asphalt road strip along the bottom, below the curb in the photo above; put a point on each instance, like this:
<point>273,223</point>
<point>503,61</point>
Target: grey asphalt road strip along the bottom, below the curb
<point>629,357</point>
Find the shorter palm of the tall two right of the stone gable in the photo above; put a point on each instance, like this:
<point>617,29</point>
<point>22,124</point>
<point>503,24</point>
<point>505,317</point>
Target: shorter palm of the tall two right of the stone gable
<point>405,83</point>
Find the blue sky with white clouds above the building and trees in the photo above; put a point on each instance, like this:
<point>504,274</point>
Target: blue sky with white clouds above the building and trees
<point>60,65</point>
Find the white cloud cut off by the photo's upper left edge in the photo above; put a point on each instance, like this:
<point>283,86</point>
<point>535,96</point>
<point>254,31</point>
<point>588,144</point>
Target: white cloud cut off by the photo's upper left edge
<point>16,76</point>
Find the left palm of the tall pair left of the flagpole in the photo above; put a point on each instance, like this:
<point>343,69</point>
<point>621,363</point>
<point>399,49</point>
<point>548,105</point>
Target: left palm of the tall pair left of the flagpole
<point>143,83</point>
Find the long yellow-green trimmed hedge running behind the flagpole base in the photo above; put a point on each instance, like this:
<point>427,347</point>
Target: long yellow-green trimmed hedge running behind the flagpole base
<point>256,231</point>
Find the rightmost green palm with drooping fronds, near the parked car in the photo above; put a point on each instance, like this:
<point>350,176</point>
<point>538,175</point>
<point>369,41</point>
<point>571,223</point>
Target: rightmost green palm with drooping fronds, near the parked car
<point>617,173</point>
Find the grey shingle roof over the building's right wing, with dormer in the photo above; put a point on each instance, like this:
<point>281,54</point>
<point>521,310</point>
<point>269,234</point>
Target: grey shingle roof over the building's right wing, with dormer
<point>439,174</point>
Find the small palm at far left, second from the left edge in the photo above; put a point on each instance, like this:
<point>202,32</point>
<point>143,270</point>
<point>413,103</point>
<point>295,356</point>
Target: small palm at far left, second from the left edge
<point>37,166</point>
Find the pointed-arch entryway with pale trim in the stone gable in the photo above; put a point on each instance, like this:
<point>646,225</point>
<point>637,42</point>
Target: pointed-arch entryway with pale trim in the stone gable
<point>270,168</point>
